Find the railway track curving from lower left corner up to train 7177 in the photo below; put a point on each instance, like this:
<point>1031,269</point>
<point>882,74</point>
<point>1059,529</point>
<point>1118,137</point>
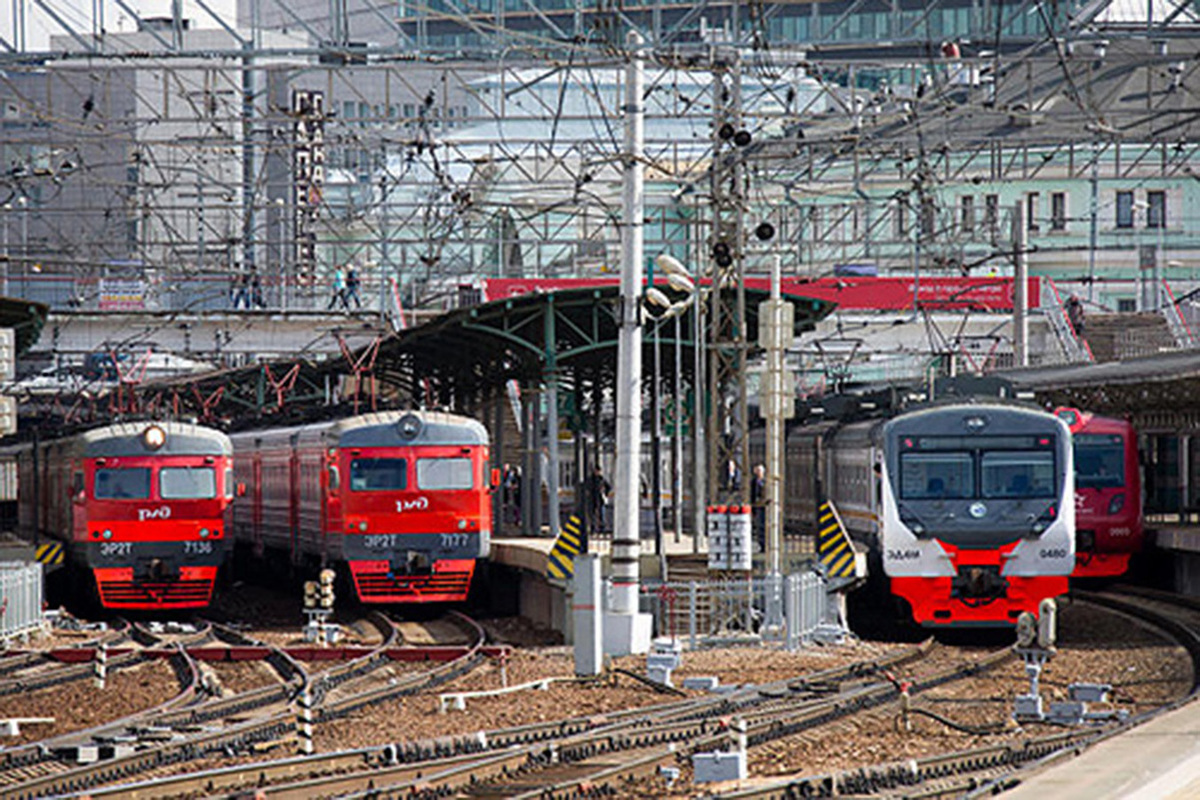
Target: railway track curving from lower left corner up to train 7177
<point>189,731</point>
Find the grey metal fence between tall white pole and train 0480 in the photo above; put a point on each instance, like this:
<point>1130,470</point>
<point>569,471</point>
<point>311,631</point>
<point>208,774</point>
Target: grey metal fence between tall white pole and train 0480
<point>741,609</point>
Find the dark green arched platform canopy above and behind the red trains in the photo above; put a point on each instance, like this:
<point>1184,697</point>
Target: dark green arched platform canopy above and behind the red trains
<point>455,360</point>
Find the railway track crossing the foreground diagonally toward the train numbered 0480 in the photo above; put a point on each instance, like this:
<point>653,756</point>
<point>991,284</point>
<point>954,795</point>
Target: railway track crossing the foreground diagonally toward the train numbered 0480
<point>543,756</point>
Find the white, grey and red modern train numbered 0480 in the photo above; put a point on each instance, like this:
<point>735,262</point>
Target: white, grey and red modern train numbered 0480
<point>967,510</point>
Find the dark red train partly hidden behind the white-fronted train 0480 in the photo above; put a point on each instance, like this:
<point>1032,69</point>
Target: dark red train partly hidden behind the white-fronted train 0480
<point>1108,495</point>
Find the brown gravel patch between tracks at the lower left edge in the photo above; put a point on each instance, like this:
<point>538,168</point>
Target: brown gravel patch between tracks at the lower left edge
<point>80,706</point>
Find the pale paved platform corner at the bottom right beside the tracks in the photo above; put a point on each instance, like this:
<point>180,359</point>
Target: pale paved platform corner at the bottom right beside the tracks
<point>1157,761</point>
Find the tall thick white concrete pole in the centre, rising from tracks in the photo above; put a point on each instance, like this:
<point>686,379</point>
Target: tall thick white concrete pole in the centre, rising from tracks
<point>621,637</point>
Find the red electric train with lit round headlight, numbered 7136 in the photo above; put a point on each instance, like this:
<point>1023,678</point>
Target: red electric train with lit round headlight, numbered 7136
<point>141,509</point>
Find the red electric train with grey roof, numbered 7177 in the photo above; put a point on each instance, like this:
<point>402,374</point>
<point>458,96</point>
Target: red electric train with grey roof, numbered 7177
<point>400,501</point>
